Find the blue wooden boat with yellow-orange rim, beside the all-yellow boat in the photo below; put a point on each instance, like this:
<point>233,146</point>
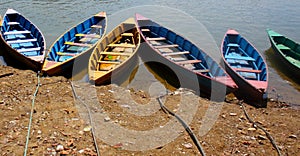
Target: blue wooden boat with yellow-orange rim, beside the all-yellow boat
<point>77,43</point>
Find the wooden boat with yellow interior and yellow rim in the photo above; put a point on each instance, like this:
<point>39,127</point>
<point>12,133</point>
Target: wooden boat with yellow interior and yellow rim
<point>115,55</point>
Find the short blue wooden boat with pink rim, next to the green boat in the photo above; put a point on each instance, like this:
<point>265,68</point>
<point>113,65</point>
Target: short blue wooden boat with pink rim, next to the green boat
<point>247,68</point>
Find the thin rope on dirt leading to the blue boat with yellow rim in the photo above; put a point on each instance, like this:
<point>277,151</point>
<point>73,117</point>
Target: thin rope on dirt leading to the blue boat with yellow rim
<point>90,117</point>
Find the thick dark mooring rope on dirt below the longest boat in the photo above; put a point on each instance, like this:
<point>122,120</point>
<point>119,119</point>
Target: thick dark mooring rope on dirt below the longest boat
<point>186,127</point>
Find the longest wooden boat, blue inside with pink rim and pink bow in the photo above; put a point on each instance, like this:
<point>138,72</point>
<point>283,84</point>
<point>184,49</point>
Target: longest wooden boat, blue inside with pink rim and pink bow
<point>193,67</point>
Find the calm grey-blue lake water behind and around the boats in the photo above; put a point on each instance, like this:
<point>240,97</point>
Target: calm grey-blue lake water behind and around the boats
<point>206,23</point>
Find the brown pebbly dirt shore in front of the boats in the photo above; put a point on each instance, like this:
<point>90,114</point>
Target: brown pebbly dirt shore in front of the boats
<point>61,125</point>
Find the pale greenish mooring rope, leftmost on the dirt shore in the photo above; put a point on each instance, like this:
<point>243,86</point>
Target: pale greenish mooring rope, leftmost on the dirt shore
<point>31,113</point>
